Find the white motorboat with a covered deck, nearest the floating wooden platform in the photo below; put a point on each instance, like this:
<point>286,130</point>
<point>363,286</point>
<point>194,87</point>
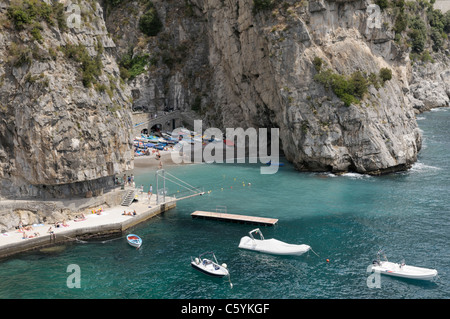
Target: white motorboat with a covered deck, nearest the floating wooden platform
<point>271,246</point>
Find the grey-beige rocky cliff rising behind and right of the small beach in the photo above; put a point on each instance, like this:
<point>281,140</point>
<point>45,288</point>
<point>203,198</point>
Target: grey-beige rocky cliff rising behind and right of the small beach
<point>256,69</point>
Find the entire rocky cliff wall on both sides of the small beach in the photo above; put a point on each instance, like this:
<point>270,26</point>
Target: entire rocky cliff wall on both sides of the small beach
<point>64,111</point>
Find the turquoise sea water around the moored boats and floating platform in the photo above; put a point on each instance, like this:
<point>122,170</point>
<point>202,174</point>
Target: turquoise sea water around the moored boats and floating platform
<point>345,219</point>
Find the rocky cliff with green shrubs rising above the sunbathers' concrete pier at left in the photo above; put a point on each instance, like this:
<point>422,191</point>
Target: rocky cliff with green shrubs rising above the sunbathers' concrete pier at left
<point>64,116</point>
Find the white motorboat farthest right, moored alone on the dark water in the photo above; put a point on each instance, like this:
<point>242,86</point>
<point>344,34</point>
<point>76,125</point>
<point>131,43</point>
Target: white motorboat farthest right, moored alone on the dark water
<point>386,267</point>
